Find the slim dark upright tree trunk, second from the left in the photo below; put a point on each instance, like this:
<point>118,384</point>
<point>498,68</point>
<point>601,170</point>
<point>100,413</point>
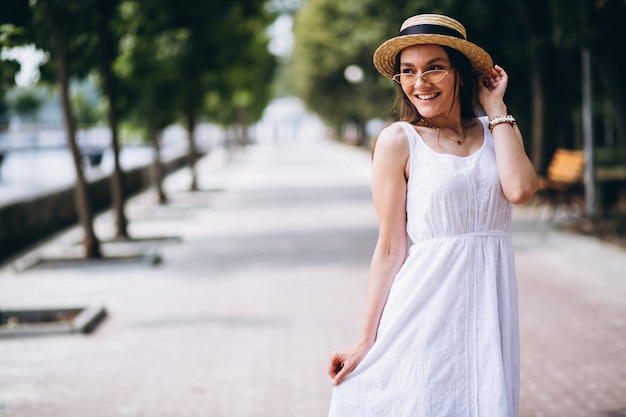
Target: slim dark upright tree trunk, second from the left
<point>118,196</point>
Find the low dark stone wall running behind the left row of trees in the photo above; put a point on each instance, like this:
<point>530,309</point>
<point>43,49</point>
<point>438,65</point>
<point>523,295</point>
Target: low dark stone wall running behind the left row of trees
<point>24,223</point>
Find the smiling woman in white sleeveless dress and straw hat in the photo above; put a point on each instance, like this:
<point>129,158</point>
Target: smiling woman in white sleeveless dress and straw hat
<point>440,328</point>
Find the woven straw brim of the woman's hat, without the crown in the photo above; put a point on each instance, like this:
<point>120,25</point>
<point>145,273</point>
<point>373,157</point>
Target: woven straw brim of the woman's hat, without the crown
<point>385,55</point>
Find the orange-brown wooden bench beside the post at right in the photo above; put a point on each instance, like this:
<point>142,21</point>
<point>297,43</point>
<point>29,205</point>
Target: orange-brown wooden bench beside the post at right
<point>563,184</point>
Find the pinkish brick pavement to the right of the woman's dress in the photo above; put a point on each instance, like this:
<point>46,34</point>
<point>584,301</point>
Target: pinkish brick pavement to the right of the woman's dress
<point>573,323</point>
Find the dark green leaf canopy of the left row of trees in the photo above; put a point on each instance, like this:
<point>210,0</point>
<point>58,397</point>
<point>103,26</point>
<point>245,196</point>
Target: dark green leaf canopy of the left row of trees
<point>166,55</point>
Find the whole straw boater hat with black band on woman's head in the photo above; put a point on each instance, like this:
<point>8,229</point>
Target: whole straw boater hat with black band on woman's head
<point>431,29</point>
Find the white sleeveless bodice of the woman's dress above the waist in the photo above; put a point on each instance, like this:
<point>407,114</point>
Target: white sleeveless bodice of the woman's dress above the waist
<point>449,195</point>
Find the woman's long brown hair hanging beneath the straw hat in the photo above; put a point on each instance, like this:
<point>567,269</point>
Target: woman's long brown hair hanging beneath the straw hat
<point>467,89</point>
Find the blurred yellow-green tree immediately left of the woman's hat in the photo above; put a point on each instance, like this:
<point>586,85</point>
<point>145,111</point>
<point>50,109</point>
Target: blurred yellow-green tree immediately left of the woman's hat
<point>352,30</point>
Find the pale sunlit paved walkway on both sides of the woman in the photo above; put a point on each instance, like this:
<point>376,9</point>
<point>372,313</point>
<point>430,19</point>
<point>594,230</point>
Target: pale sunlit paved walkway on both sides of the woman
<point>269,277</point>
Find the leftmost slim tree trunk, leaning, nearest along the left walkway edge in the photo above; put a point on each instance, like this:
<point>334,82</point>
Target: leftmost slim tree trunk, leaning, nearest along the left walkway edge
<point>90,241</point>
